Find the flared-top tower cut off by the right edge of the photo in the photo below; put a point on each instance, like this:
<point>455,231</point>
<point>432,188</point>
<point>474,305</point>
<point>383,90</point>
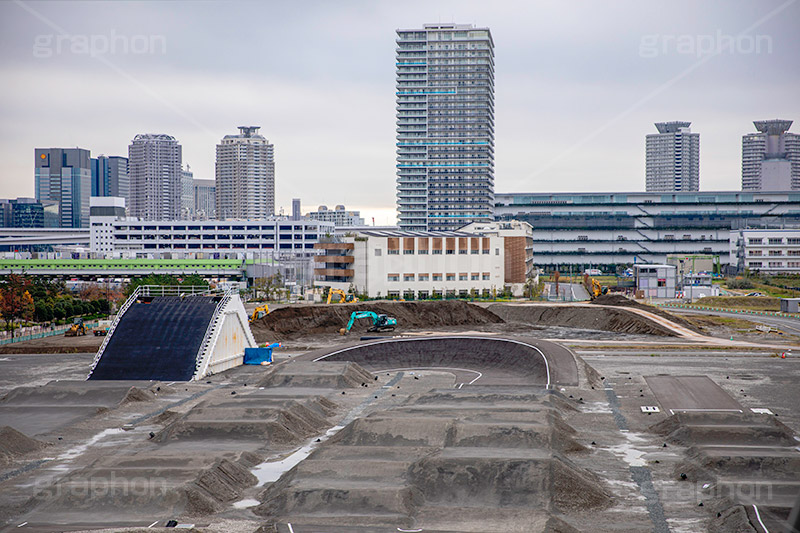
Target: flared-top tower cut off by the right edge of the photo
<point>771,157</point>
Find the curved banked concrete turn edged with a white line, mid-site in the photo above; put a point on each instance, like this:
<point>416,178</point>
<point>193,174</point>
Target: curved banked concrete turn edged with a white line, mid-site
<point>473,359</point>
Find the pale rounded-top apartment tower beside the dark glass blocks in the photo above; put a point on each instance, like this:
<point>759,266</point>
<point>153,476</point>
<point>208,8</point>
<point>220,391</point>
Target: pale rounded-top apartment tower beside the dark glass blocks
<point>154,163</point>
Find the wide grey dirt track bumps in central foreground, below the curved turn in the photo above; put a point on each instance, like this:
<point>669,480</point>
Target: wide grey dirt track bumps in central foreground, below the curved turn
<point>481,460</point>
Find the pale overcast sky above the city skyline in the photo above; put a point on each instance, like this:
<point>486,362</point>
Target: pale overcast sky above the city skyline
<point>578,85</point>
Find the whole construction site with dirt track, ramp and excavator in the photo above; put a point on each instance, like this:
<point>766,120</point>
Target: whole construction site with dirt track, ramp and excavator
<point>197,411</point>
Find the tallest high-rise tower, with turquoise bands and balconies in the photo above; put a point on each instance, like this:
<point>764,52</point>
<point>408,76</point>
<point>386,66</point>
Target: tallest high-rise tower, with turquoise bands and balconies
<point>445,126</point>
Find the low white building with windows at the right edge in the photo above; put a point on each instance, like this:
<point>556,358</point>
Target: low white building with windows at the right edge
<point>766,250</point>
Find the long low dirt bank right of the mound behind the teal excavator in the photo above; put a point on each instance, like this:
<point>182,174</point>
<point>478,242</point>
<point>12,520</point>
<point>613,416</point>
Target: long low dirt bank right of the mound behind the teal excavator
<point>616,320</point>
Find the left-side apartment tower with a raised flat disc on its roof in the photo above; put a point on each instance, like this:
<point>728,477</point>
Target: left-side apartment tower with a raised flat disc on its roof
<point>245,175</point>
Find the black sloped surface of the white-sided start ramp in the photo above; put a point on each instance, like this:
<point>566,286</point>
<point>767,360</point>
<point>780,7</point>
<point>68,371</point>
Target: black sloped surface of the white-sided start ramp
<point>157,340</point>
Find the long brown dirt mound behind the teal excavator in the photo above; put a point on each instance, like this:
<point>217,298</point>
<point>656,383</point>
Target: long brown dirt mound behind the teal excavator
<point>296,321</point>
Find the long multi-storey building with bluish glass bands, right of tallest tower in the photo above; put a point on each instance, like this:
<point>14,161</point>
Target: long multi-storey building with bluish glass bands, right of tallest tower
<point>609,229</point>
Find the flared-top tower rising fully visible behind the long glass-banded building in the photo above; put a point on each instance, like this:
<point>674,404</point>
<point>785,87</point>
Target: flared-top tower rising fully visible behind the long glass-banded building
<point>673,158</point>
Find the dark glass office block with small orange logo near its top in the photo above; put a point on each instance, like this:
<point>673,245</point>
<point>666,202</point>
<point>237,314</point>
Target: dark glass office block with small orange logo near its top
<point>64,176</point>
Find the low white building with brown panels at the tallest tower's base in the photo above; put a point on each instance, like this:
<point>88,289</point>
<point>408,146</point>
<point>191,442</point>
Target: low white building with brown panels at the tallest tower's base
<point>478,260</point>
